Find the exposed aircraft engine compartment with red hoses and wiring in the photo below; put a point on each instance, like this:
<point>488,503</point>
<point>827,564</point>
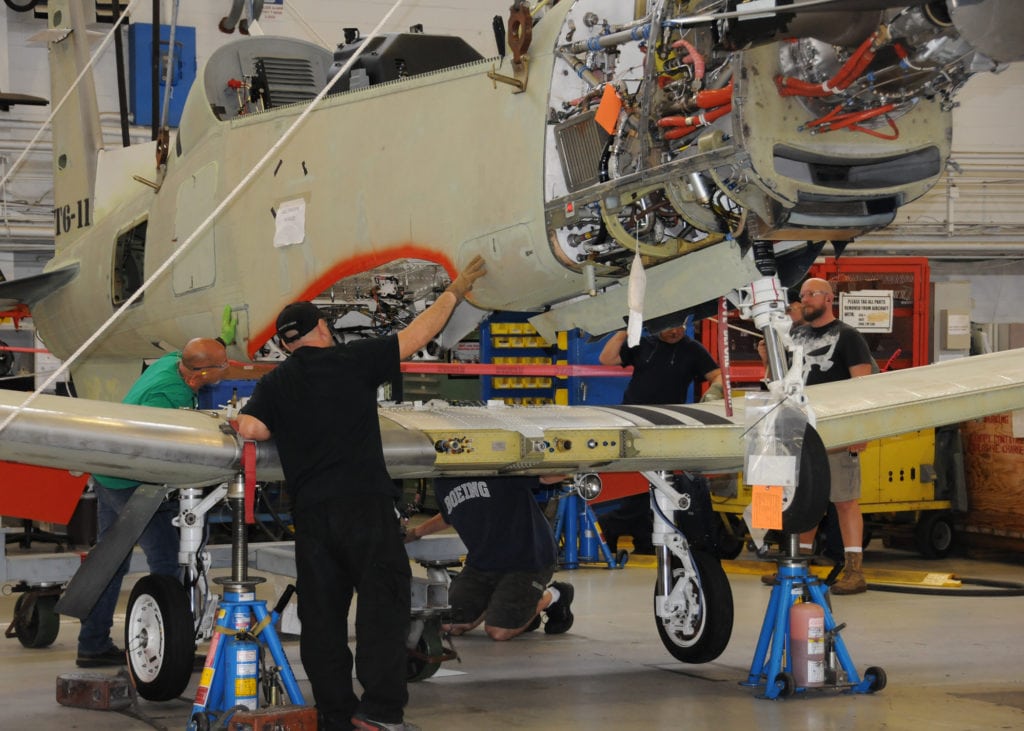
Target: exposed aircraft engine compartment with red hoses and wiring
<point>717,121</point>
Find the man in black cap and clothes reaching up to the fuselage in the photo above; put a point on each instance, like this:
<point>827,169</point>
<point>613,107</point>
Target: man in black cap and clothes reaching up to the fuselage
<point>321,408</point>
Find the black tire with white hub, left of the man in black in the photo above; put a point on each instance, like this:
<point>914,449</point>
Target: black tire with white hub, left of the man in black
<point>160,637</point>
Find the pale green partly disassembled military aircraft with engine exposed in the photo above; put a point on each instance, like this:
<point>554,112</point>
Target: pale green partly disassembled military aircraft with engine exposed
<point>719,146</point>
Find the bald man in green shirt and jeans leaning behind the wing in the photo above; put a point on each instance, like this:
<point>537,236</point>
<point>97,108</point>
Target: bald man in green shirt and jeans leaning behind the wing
<point>169,383</point>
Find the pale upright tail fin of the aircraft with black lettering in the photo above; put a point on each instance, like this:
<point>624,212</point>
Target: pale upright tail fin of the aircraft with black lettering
<point>77,135</point>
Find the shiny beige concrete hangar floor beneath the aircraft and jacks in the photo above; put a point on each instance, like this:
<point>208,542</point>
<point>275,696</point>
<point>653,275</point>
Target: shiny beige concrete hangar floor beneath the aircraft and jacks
<point>953,663</point>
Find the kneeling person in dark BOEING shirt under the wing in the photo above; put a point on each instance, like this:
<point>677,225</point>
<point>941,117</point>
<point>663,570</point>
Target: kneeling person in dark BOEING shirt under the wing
<point>511,557</point>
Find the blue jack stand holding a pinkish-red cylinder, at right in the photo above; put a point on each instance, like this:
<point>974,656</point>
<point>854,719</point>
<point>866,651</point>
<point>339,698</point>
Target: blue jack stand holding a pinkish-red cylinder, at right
<point>769,669</point>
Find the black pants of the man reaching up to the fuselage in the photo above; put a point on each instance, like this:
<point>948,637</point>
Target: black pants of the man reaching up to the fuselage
<point>345,544</point>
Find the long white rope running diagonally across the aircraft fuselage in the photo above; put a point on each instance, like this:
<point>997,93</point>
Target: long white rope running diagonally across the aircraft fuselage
<point>205,225</point>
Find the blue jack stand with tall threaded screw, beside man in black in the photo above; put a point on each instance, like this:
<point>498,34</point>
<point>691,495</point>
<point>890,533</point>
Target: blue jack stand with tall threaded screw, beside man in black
<point>234,672</point>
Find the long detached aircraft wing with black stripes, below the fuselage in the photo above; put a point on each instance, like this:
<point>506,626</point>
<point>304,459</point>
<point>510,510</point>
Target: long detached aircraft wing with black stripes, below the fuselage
<point>189,448</point>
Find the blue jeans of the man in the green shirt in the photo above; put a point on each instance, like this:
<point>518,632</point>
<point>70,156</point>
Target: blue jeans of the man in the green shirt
<point>159,541</point>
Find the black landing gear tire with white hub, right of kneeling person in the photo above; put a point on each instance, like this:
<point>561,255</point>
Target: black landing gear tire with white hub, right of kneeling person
<point>703,633</point>
